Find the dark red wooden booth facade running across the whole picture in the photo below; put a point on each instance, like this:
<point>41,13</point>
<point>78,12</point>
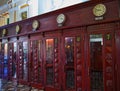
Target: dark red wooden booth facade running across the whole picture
<point>79,25</point>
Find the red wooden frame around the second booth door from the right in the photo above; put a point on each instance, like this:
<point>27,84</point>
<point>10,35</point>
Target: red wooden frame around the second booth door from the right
<point>75,32</point>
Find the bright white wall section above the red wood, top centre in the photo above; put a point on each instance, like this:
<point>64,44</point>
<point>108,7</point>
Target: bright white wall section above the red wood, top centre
<point>51,5</point>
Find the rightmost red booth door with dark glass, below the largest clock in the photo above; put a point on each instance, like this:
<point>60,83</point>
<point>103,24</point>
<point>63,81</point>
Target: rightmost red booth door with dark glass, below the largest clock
<point>101,64</point>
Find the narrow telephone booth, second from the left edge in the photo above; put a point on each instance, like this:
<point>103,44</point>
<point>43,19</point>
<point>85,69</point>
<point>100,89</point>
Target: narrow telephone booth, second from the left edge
<point>12,60</point>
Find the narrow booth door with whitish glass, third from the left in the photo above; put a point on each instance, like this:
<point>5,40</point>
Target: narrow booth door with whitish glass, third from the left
<point>22,62</point>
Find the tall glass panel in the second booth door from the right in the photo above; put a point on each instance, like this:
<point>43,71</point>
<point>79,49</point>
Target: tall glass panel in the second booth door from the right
<point>69,62</point>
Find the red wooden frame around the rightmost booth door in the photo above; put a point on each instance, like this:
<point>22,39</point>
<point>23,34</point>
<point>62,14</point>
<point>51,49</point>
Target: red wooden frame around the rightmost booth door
<point>103,32</point>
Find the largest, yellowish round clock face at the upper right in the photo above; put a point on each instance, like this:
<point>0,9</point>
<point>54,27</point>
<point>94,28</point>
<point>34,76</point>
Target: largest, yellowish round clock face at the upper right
<point>99,10</point>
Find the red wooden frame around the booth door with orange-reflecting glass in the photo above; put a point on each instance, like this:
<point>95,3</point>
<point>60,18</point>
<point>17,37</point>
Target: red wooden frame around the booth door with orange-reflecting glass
<point>52,35</point>
